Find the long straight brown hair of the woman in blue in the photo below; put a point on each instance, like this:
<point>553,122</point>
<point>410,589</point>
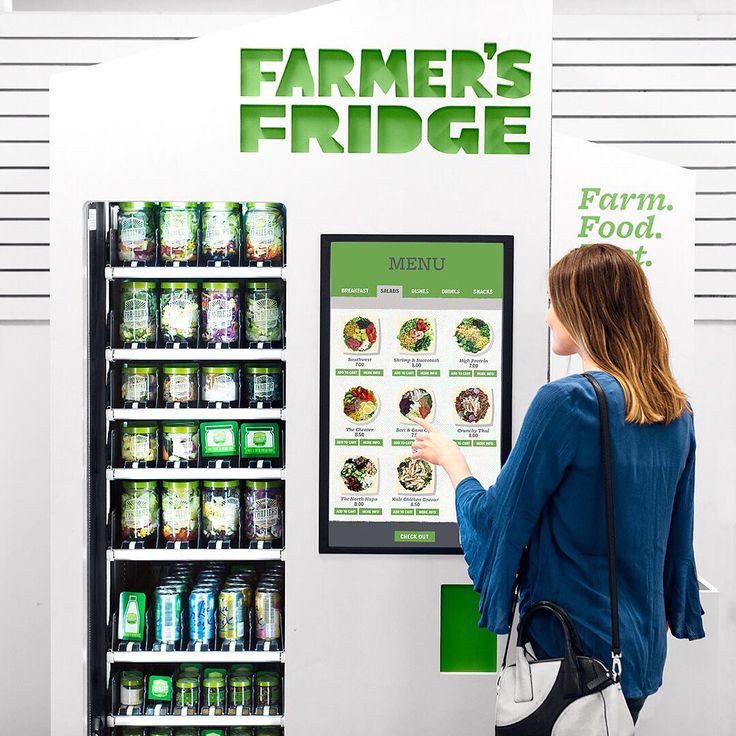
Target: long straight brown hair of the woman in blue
<point>601,296</point>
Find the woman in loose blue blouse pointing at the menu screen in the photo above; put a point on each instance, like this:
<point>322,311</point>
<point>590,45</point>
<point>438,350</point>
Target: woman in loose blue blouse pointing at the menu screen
<point>549,494</point>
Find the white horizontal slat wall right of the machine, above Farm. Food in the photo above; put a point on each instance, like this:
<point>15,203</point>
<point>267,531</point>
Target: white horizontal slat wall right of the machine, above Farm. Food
<point>662,87</point>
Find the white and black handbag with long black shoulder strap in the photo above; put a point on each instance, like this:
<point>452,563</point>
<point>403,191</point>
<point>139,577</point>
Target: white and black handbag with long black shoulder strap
<point>574,695</point>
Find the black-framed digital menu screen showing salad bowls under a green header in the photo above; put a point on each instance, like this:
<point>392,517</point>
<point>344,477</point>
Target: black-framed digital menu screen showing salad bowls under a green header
<point>411,327</point>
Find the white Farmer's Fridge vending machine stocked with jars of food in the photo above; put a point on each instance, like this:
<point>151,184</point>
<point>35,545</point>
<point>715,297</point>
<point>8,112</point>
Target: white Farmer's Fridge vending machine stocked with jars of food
<point>188,216</point>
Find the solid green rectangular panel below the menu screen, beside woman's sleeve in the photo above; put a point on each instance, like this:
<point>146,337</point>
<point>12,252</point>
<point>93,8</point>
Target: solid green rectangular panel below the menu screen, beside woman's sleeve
<point>464,646</point>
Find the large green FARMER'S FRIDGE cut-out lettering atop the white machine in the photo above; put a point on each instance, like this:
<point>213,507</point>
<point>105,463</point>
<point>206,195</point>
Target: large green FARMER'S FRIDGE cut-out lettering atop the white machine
<point>401,99</point>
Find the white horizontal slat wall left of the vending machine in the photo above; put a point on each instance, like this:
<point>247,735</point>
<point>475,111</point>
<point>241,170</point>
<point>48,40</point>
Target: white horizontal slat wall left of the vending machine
<point>33,47</point>
